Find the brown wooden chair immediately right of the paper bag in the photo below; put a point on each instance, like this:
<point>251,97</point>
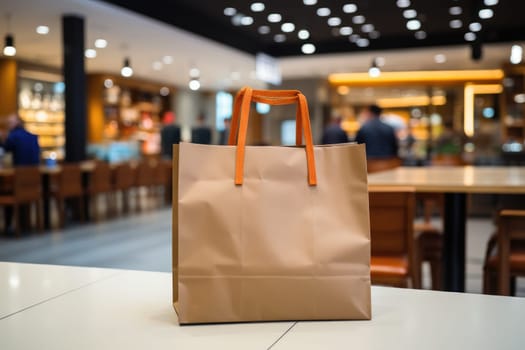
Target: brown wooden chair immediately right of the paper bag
<point>391,226</point>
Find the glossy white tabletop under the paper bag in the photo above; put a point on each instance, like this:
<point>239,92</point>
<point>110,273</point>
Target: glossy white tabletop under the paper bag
<point>86,308</point>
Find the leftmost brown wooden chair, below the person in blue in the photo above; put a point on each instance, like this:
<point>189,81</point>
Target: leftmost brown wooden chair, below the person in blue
<point>26,190</point>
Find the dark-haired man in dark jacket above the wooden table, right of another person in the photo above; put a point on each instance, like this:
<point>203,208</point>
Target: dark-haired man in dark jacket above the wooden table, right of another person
<point>380,138</point>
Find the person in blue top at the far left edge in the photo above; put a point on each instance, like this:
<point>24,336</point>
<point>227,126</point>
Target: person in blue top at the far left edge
<point>22,144</point>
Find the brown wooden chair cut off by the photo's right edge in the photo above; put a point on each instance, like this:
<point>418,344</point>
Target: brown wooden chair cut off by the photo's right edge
<point>505,255</point>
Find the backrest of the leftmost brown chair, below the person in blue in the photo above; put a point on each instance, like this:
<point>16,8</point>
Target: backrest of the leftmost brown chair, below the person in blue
<point>27,184</point>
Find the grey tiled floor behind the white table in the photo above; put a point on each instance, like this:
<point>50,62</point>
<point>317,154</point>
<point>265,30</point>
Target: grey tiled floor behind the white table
<point>143,242</point>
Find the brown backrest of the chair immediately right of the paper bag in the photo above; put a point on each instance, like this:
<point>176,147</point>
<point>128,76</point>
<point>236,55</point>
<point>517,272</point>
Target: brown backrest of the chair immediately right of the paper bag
<point>392,221</point>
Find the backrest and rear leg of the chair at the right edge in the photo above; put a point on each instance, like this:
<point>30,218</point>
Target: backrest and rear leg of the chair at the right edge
<point>511,227</point>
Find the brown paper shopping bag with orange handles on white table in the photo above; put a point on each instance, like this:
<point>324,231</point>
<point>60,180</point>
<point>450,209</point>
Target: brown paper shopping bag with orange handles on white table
<point>270,233</point>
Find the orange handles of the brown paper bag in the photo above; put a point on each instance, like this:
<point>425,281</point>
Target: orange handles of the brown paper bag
<point>241,114</point>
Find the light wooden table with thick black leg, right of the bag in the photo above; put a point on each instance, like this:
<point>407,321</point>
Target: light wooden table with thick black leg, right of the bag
<point>455,183</point>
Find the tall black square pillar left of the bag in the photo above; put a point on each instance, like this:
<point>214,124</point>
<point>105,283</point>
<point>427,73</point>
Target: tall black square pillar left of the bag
<point>75,92</point>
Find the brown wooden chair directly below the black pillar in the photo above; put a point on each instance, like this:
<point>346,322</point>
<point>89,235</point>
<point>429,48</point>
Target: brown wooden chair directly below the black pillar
<point>65,185</point>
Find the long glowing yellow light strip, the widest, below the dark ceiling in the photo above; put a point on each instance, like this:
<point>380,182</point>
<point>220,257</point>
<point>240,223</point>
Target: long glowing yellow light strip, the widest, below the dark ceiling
<point>418,77</point>
